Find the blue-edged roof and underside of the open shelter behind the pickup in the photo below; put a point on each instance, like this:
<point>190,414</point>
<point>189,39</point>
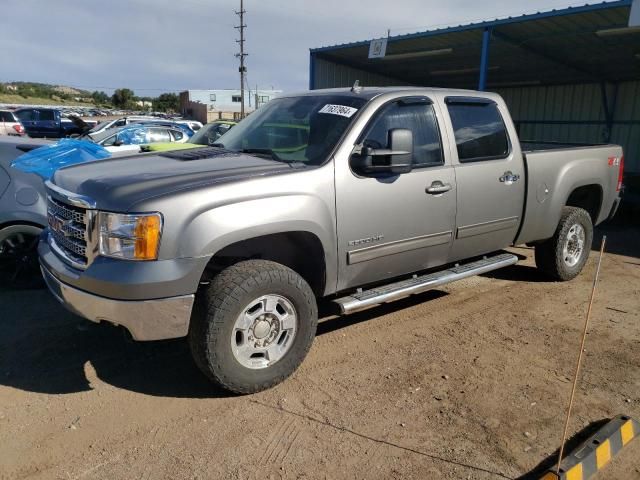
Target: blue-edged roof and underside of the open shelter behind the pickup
<point>564,46</point>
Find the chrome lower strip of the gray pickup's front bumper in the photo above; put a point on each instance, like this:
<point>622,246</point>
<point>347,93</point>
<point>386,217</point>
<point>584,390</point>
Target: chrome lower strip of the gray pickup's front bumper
<point>157,319</point>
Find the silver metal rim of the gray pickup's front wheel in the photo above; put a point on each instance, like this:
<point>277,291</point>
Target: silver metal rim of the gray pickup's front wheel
<point>264,331</point>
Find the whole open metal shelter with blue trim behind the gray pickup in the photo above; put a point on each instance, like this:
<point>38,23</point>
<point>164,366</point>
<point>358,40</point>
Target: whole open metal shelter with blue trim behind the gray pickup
<point>570,75</point>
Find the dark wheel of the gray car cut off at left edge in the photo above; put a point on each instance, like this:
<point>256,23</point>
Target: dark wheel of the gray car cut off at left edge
<point>19,266</point>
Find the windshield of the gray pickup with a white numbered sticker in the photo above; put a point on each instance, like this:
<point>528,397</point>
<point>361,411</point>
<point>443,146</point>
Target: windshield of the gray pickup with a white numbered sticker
<point>297,129</point>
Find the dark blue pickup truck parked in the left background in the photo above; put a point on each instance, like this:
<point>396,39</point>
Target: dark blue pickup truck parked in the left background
<point>48,123</point>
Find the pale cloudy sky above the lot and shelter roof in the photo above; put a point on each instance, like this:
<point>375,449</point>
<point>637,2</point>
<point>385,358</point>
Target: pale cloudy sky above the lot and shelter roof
<point>155,46</point>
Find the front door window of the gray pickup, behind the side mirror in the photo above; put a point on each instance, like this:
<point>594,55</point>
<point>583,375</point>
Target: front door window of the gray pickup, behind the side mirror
<point>420,119</point>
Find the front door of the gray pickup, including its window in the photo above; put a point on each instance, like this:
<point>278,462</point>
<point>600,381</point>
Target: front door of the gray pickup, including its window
<point>393,224</point>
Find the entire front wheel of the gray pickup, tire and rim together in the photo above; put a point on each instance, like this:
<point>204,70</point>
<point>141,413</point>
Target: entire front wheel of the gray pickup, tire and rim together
<point>253,325</point>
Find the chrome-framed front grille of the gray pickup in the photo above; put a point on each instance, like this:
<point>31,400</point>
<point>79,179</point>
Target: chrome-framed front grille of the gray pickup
<point>69,230</point>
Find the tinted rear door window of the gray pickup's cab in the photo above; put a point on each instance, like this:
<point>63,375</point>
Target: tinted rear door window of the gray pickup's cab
<point>479,130</point>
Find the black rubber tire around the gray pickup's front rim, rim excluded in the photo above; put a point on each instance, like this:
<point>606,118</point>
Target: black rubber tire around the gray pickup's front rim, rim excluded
<point>220,303</point>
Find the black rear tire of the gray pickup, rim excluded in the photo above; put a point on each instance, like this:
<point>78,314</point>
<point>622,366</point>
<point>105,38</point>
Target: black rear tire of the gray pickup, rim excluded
<point>550,256</point>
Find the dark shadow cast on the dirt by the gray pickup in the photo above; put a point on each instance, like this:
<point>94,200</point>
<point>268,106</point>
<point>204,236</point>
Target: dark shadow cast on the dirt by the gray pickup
<point>45,349</point>
